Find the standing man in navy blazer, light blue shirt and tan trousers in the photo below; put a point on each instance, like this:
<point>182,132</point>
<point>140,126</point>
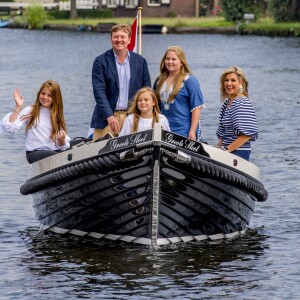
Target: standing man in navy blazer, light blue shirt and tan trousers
<point>117,75</point>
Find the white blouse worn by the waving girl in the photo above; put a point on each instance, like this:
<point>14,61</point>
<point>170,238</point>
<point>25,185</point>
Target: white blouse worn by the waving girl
<point>37,137</point>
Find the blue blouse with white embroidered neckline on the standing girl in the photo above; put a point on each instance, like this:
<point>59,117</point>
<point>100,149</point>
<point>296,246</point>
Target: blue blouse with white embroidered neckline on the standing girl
<point>179,110</point>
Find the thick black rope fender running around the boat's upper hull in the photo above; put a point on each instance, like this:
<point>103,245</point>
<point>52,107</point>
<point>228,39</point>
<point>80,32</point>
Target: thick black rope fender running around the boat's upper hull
<point>200,166</point>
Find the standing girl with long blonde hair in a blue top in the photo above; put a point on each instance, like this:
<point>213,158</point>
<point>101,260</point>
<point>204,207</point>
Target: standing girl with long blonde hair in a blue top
<point>179,94</point>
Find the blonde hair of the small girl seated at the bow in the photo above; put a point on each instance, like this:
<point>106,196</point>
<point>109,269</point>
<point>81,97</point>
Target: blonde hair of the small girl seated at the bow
<point>137,113</point>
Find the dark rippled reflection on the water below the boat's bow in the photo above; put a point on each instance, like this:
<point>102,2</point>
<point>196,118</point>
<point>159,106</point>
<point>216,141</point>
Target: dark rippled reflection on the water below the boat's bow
<point>83,266</point>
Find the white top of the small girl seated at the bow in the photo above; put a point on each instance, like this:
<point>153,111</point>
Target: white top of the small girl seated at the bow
<point>144,124</point>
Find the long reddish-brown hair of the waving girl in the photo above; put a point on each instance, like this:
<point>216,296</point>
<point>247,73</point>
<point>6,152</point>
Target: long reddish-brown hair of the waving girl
<point>57,109</point>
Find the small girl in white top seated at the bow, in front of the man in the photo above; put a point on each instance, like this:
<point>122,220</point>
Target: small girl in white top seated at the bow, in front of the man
<point>143,113</point>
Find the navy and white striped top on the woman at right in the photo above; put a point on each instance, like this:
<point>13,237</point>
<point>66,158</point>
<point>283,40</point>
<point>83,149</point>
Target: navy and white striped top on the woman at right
<point>239,119</point>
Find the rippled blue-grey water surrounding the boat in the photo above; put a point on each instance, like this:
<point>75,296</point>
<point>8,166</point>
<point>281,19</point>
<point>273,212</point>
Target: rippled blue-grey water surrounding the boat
<point>263,264</point>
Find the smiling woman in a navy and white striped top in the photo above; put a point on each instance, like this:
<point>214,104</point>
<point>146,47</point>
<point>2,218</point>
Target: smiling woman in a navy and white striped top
<point>237,121</point>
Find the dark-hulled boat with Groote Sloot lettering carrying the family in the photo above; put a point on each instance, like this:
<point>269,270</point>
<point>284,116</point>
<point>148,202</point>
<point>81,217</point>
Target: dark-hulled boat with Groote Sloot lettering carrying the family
<point>151,188</point>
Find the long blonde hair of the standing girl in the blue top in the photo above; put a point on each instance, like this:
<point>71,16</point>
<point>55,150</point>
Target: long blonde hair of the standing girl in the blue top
<point>184,70</point>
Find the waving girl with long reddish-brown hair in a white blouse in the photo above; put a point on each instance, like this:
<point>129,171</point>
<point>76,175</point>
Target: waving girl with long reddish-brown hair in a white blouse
<point>45,129</point>
